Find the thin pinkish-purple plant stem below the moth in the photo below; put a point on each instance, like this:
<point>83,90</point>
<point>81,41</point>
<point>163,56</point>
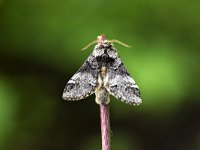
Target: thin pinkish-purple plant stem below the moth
<point>105,126</point>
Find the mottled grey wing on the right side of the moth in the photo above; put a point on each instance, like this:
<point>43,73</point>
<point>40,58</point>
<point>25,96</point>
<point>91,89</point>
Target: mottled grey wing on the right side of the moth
<point>121,85</point>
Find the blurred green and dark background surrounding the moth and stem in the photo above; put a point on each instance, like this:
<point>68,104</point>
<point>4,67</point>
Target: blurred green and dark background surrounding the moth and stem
<point>40,42</point>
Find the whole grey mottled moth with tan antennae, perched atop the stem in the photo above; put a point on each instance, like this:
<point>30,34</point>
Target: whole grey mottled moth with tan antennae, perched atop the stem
<point>103,73</point>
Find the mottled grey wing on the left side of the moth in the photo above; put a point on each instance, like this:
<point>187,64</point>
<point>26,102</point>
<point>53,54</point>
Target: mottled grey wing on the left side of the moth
<point>84,81</point>
